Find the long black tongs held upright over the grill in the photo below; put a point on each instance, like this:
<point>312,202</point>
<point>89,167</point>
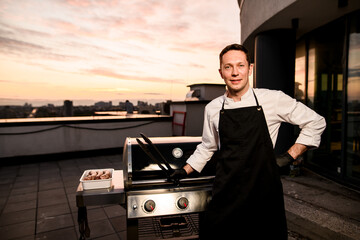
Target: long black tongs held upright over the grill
<point>147,148</point>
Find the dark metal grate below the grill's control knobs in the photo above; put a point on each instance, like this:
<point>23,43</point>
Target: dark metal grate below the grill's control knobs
<point>150,229</point>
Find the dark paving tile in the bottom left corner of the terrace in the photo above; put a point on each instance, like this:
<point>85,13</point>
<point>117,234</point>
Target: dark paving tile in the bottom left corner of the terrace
<point>12,231</point>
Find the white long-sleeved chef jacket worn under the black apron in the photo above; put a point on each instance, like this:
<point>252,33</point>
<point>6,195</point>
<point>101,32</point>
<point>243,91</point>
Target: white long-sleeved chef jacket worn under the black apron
<point>277,106</point>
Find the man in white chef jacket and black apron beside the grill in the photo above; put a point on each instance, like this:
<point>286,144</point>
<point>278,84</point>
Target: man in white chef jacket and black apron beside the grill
<point>242,127</point>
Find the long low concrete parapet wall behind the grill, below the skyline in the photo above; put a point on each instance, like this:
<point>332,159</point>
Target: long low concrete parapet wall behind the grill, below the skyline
<point>98,135</point>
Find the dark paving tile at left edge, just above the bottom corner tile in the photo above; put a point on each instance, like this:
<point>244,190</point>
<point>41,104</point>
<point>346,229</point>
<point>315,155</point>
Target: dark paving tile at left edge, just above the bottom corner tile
<point>17,217</point>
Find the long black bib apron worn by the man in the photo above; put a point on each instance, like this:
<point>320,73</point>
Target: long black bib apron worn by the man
<point>247,200</point>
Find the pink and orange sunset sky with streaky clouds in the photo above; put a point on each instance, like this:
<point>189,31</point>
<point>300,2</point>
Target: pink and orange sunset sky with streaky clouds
<point>88,51</point>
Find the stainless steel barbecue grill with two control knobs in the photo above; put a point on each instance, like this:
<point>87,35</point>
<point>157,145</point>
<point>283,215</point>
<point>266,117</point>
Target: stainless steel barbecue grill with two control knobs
<point>159,207</point>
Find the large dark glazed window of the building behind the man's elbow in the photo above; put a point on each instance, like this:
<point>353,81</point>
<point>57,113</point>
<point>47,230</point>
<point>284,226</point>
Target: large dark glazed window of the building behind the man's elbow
<point>328,71</point>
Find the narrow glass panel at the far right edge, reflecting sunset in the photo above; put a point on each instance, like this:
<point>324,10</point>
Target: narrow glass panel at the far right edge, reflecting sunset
<point>353,101</point>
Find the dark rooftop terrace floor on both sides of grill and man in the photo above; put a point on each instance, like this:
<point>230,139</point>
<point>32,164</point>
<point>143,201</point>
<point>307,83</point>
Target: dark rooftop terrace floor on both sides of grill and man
<point>37,201</point>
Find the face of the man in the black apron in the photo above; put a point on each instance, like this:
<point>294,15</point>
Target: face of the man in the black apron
<point>235,71</point>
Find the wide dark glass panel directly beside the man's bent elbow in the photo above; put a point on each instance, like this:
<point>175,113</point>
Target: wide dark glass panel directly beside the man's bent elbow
<point>325,92</point>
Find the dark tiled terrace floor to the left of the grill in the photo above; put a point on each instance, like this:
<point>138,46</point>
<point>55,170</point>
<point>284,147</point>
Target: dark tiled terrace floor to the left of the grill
<point>37,201</point>
